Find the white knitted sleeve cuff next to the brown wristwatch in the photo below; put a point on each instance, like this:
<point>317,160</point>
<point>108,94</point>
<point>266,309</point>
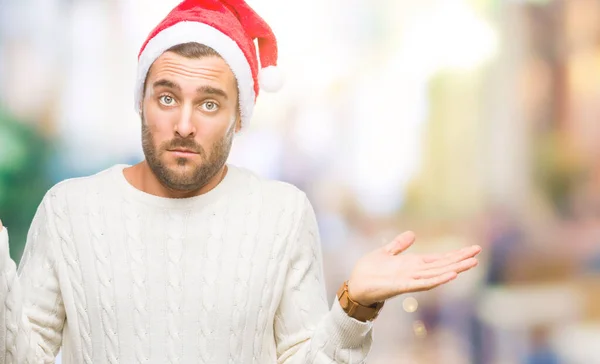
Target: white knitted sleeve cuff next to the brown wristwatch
<point>347,331</point>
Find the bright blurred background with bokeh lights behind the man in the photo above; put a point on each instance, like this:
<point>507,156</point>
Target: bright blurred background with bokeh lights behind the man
<point>466,121</point>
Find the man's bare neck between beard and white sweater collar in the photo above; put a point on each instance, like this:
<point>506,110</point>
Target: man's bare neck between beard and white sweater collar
<point>141,177</point>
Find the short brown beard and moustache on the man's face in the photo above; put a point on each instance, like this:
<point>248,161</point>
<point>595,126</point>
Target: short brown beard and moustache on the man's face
<point>187,175</point>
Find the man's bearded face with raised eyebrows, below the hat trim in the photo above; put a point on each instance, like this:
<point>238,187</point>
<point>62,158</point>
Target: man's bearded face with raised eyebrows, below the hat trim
<point>189,117</point>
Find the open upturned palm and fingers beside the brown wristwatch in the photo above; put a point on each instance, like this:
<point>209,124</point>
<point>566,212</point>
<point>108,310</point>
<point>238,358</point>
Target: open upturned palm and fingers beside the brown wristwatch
<point>385,273</point>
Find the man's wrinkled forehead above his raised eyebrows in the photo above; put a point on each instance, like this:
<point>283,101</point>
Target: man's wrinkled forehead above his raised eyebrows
<point>192,72</point>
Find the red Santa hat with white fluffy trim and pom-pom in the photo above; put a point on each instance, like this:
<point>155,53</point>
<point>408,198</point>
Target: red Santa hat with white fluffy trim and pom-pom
<point>230,28</point>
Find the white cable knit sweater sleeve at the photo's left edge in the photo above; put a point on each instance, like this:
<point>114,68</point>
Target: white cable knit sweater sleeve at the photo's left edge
<point>32,312</point>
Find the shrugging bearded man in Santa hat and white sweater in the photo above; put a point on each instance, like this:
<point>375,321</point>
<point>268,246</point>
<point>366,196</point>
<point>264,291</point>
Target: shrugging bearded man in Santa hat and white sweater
<point>183,258</point>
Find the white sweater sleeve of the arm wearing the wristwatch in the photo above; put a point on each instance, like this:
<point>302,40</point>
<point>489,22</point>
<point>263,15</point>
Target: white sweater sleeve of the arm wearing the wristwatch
<point>305,330</point>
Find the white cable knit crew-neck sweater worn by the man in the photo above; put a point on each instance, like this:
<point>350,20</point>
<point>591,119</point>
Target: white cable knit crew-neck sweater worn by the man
<point>115,275</point>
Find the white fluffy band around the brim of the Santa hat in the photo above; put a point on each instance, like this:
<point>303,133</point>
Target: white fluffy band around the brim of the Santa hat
<point>185,32</point>
